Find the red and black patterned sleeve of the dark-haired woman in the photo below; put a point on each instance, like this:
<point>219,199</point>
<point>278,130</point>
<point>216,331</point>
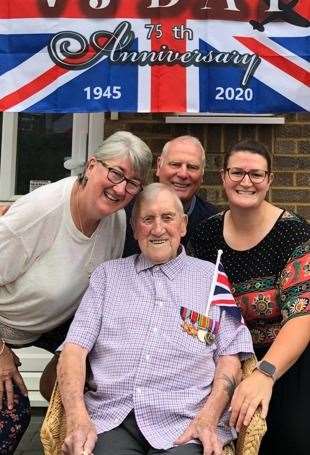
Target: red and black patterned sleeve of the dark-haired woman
<point>294,284</point>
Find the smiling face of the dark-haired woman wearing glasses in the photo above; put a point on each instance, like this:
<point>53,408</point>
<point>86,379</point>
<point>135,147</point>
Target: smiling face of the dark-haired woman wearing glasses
<point>245,193</point>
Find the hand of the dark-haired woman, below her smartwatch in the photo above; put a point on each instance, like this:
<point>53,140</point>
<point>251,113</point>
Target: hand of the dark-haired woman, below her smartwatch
<point>252,392</point>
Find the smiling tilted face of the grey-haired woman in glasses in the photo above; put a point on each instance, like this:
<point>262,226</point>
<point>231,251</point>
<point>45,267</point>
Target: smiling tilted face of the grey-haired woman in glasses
<point>104,196</point>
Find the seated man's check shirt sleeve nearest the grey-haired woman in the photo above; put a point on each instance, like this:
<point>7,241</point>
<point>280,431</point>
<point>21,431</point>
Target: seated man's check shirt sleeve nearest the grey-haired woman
<point>86,324</point>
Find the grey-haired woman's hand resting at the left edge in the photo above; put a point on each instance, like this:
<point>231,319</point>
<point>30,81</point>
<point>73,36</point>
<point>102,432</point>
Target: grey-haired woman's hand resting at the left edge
<point>9,375</point>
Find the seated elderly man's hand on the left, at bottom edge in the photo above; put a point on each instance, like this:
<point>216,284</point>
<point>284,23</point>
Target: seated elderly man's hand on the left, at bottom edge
<point>81,436</point>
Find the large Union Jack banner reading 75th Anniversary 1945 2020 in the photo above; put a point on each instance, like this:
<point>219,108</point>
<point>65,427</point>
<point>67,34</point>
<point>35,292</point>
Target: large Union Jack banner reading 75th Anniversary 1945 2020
<point>216,56</point>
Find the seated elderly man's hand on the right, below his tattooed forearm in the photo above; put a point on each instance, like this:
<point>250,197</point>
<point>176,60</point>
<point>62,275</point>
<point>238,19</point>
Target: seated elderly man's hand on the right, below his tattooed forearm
<point>201,429</point>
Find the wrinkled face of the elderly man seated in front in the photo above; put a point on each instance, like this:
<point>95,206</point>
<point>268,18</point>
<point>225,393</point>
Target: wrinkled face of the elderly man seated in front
<point>158,227</point>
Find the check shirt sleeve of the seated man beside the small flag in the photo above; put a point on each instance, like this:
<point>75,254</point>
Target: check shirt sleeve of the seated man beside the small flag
<point>233,338</point>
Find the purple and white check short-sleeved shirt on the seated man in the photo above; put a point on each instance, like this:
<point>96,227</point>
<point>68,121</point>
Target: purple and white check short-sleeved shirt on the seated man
<point>129,320</point>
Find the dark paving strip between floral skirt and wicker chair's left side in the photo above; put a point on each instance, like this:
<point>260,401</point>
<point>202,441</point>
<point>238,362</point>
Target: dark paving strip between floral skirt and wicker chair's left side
<point>30,443</point>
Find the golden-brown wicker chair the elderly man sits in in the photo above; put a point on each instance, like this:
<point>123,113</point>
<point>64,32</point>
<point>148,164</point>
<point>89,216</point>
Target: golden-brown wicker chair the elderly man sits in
<point>54,426</point>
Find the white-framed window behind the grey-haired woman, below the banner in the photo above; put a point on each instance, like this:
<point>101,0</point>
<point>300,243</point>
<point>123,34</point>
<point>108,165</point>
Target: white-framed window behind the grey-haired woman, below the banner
<point>35,146</point>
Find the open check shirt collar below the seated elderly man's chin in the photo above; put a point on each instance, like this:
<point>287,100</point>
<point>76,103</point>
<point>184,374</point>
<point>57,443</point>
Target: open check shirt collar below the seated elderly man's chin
<point>170,268</point>
